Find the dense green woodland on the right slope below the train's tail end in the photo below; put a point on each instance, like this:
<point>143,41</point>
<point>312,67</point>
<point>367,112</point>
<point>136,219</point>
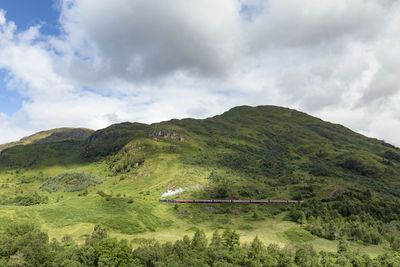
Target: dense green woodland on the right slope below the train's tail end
<point>356,216</point>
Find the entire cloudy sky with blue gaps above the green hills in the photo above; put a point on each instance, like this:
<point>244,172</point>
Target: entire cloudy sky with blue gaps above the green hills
<point>92,63</point>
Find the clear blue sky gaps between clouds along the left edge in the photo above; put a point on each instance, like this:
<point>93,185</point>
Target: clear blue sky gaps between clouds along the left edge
<point>26,13</point>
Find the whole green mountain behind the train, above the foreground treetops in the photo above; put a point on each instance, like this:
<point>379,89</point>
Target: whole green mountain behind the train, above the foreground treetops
<point>350,184</point>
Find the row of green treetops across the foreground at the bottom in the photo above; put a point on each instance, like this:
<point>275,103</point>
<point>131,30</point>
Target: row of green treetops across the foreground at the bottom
<point>25,245</point>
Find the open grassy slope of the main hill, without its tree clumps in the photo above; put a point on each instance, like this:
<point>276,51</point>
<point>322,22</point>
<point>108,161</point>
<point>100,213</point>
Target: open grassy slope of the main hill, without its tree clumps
<point>266,152</point>
